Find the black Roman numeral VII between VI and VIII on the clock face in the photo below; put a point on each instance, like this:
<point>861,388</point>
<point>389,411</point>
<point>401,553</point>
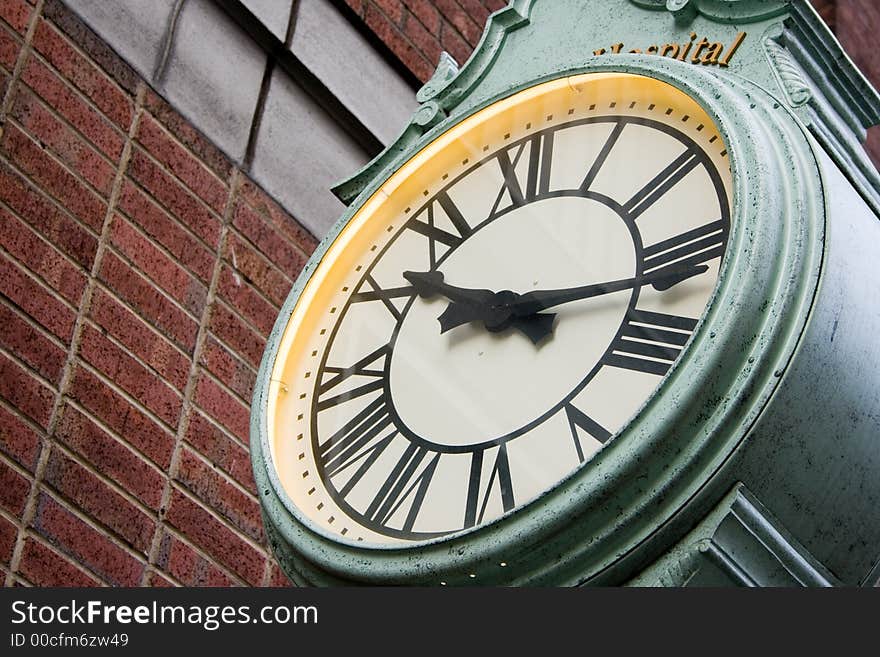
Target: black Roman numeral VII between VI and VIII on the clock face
<point>409,479</point>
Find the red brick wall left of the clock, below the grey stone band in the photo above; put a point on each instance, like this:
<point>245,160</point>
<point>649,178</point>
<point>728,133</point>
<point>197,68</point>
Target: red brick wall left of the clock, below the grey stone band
<point>140,273</point>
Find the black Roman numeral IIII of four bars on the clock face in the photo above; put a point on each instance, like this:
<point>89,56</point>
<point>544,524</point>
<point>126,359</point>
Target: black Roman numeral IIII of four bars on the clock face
<point>650,342</point>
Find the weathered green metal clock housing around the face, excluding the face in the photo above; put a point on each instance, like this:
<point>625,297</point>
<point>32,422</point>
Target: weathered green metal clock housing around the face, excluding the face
<point>745,403</point>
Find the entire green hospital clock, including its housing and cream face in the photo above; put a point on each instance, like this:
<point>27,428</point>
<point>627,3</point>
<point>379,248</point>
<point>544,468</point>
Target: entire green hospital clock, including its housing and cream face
<point>589,320</point>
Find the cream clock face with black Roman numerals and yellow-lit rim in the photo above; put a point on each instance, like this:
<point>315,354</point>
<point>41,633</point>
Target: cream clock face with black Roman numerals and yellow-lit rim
<point>499,310</point>
